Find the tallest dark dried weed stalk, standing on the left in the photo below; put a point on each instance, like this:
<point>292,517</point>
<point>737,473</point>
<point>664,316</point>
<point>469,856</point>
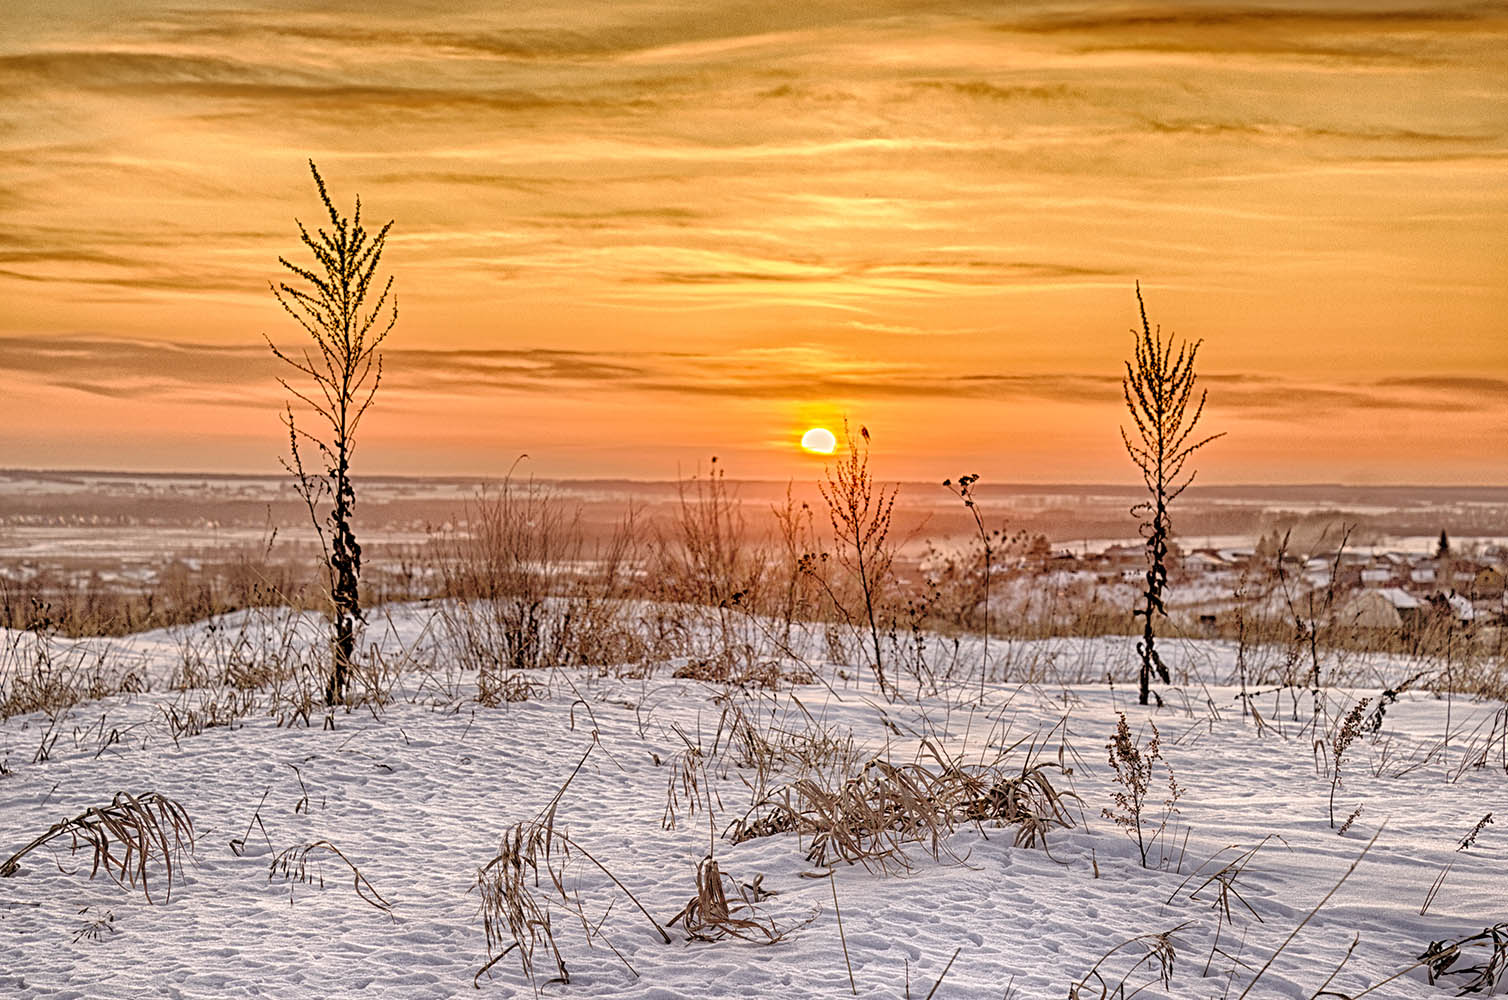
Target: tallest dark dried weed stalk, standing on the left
<point>348,311</point>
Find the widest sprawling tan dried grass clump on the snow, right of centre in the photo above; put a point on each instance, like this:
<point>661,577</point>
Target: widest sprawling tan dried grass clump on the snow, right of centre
<point>872,817</point>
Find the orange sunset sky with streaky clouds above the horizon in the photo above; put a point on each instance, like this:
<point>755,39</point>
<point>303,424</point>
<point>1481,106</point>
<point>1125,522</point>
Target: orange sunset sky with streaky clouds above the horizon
<point>634,236</point>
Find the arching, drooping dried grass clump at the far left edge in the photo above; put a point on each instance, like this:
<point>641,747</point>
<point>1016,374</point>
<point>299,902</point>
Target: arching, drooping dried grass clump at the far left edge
<point>124,838</point>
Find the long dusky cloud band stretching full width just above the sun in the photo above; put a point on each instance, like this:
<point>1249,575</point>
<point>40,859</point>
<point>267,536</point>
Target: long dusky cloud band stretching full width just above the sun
<point>136,369</point>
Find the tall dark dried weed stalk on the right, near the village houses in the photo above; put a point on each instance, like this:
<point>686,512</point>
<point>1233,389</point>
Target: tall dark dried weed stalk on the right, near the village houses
<point>1159,387</point>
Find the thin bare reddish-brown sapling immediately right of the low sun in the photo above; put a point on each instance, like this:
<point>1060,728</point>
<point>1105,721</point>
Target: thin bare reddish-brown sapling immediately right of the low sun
<point>860,512</point>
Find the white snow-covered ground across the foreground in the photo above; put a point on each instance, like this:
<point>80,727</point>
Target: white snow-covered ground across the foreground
<point>658,773</point>
